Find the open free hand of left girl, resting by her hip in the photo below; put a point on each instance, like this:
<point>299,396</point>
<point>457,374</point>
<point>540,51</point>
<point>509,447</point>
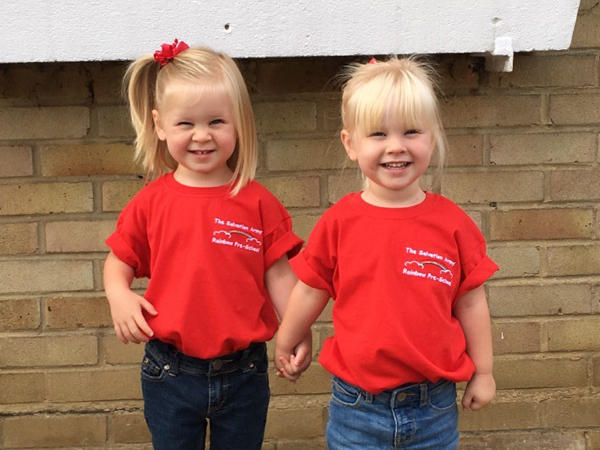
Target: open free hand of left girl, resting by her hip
<point>129,322</point>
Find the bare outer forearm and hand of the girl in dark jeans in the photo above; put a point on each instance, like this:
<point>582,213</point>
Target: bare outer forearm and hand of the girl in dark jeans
<point>125,305</point>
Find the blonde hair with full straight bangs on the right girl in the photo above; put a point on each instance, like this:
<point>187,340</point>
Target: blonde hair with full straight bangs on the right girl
<point>401,90</point>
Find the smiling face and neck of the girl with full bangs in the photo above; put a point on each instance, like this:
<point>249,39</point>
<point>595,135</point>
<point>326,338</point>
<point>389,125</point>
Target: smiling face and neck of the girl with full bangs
<point>393,158</point>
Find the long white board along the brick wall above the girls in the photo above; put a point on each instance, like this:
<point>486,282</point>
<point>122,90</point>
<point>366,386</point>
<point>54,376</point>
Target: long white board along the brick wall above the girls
<point>103,30</point>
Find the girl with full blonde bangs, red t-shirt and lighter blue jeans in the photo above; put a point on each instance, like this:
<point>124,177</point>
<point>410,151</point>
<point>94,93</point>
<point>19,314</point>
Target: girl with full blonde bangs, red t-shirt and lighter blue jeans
<point>405,268</point>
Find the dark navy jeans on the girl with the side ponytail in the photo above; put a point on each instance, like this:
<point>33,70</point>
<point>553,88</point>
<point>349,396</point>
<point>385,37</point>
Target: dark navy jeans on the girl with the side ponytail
<point>181,393</point>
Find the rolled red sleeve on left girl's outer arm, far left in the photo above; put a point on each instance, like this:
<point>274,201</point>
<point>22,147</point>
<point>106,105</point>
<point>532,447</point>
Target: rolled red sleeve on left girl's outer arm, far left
<point>129,242</point>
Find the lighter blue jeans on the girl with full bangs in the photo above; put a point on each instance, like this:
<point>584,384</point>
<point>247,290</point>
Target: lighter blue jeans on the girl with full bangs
<point>413,416</point>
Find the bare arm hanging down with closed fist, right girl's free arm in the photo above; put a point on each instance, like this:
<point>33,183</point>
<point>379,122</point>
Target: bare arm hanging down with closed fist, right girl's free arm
<point>473,313</point>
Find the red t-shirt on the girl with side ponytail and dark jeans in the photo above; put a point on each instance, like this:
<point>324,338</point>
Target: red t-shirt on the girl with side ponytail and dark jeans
<point>206,254</point>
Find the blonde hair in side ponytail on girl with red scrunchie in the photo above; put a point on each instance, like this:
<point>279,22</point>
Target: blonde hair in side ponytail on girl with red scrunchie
<point>145,84</point>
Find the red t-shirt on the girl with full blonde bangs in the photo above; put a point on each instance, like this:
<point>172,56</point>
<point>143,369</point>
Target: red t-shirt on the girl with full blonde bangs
<point>395,274</point>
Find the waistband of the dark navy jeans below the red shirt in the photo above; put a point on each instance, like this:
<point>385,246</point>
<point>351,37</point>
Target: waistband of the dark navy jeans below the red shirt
<point>174,360</point>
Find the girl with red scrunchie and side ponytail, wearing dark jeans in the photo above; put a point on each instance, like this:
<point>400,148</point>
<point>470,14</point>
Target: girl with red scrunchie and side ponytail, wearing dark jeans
<point>215,246</point>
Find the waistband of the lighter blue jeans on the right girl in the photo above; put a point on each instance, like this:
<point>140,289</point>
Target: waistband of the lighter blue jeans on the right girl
<point>406,393</point>
